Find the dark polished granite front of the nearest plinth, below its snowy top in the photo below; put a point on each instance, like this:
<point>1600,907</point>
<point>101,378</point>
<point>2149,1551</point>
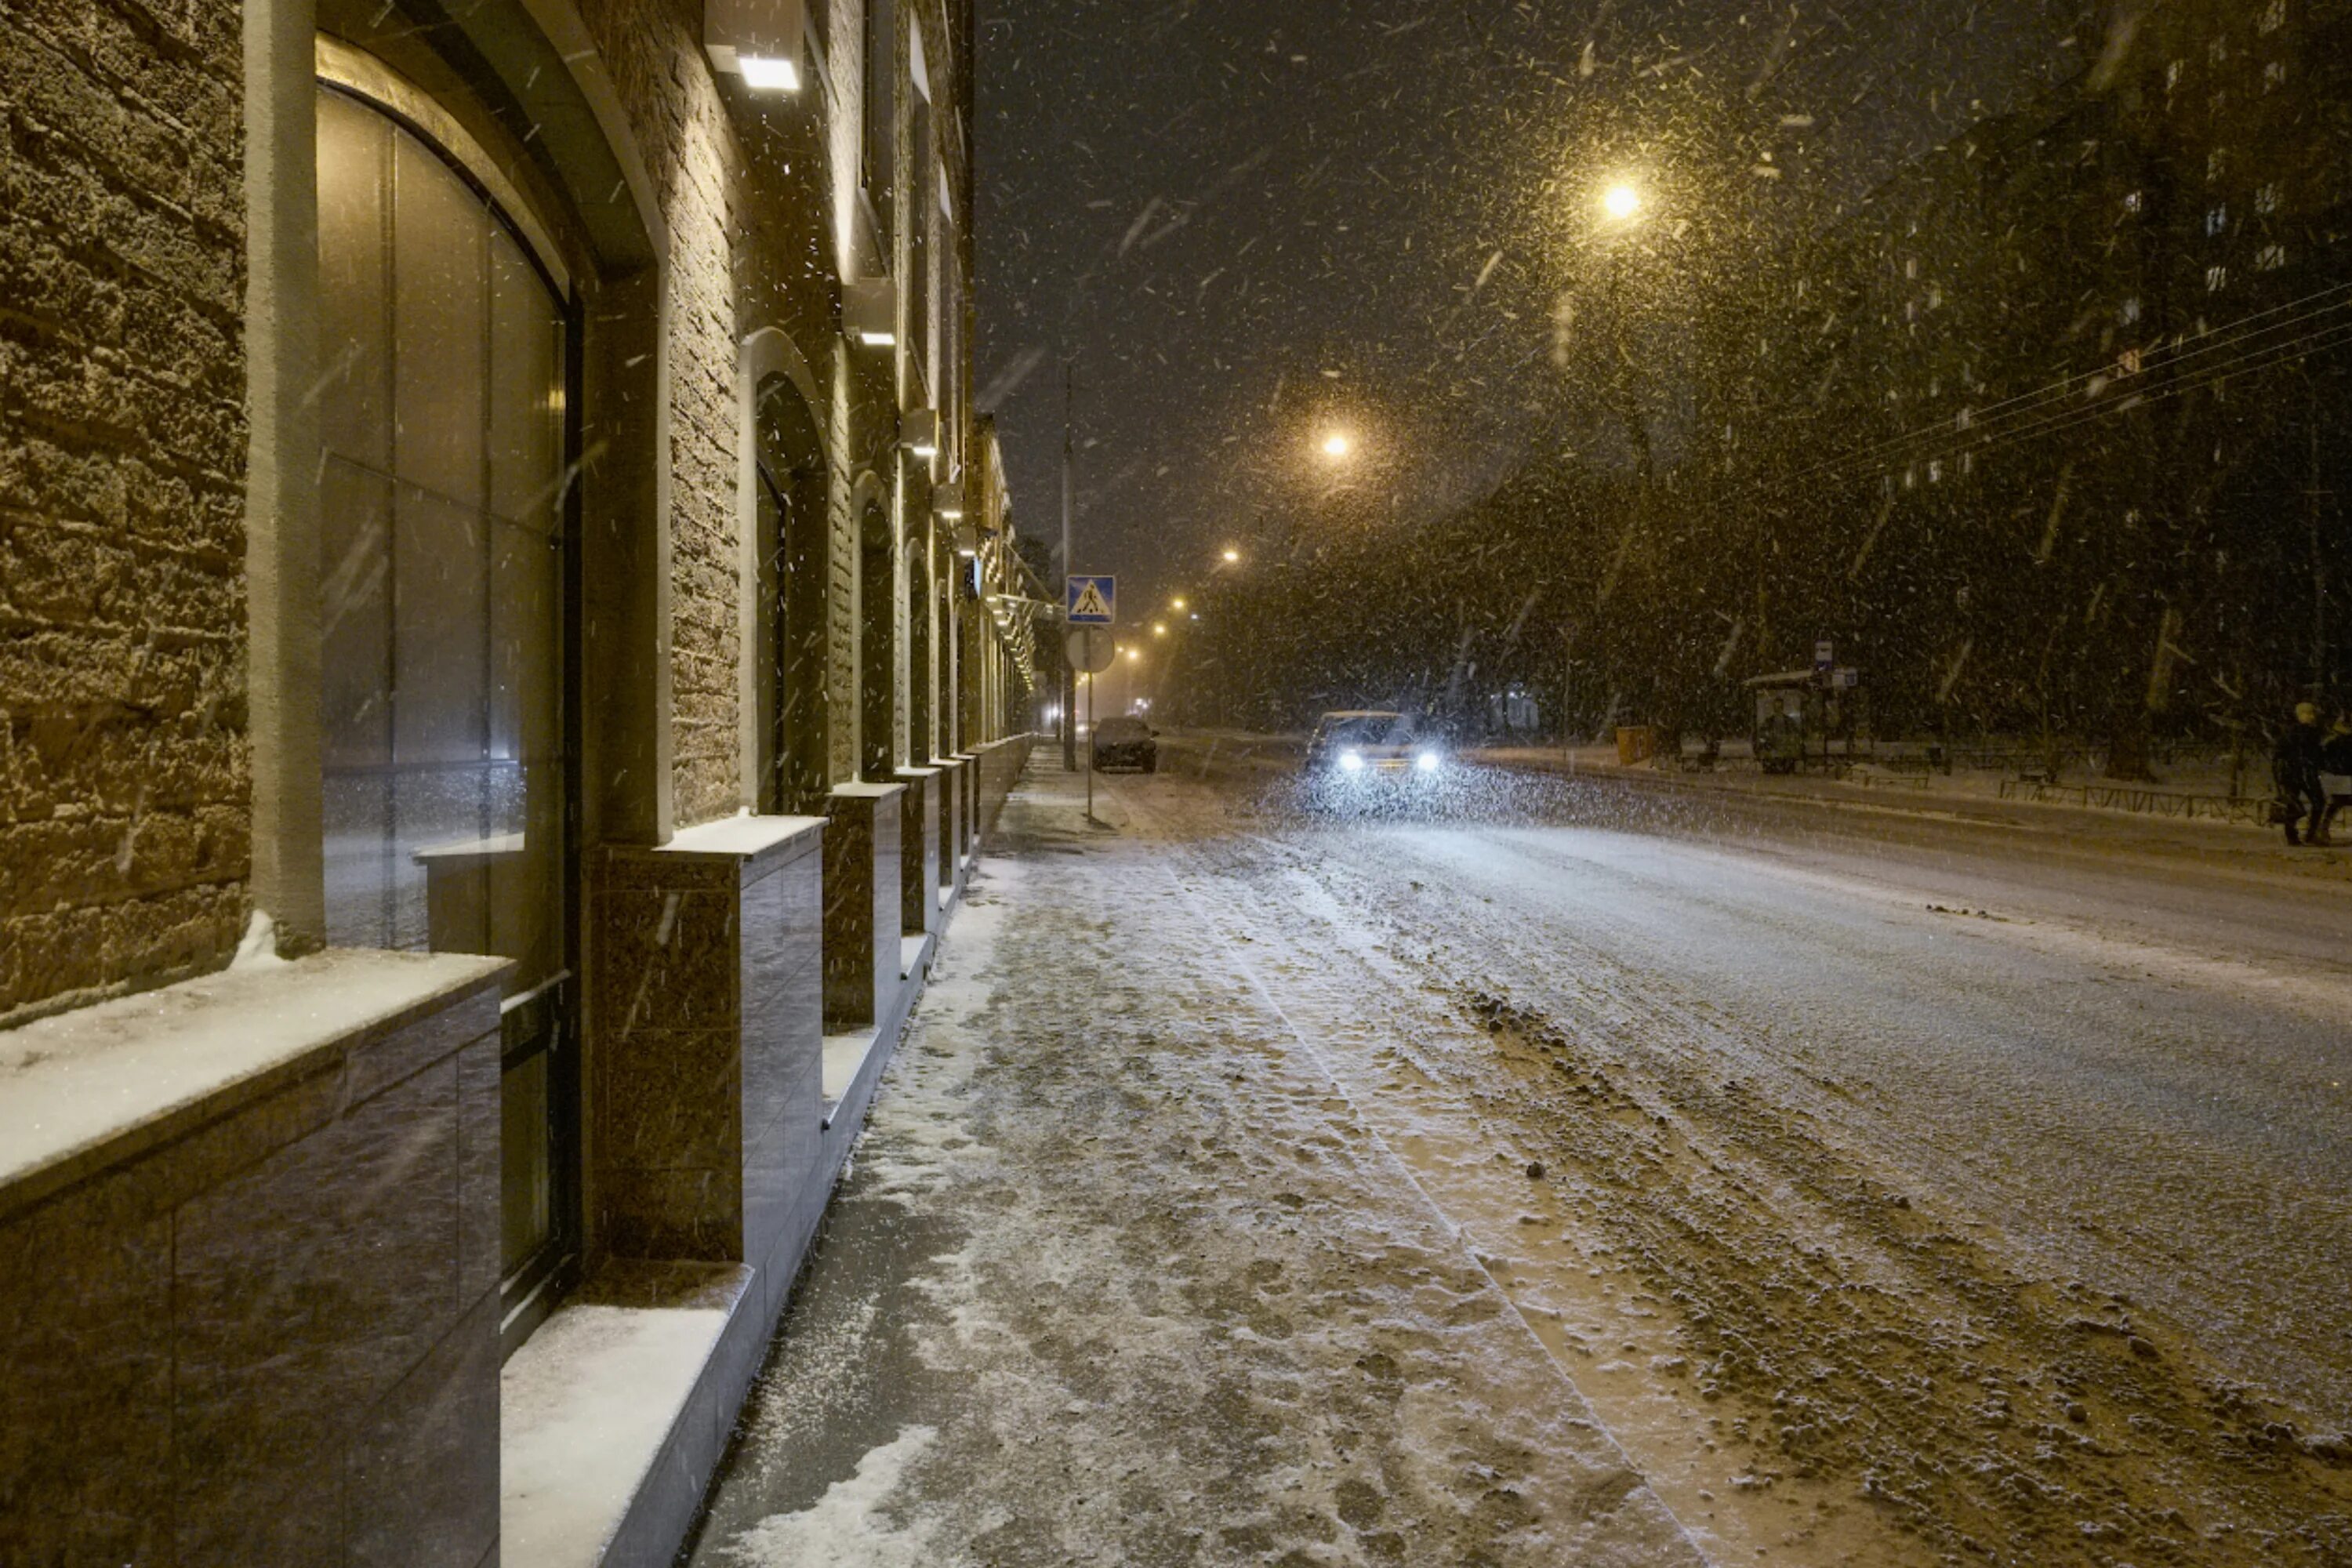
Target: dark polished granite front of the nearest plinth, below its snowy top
<point>220,1348</point>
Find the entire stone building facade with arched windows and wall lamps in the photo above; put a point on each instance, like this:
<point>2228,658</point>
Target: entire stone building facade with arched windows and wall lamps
<point>509,648</point>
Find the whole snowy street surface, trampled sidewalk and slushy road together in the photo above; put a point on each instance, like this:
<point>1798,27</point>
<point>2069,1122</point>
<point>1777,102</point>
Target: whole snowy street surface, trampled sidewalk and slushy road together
<point>1582,1174</point>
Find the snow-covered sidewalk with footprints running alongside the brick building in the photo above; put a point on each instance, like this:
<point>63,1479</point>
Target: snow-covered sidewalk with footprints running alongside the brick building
<point>1121,1278</point>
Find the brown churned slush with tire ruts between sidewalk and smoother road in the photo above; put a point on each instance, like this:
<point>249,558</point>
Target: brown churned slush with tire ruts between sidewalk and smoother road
<point>1862,1339</point>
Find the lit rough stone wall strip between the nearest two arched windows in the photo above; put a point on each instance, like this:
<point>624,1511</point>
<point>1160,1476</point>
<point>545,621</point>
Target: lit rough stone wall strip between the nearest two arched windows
<point>693,149</point>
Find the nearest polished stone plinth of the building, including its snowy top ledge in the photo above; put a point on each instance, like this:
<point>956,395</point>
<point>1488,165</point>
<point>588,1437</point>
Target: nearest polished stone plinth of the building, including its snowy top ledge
<point>250,1271</point>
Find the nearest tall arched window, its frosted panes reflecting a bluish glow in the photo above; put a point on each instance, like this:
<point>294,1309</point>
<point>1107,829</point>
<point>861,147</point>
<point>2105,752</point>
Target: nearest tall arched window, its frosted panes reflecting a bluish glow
<point>443,605</point>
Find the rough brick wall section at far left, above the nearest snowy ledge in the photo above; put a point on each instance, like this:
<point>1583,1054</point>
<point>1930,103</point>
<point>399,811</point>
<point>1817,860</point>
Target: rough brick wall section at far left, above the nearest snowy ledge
<point>126,824</point>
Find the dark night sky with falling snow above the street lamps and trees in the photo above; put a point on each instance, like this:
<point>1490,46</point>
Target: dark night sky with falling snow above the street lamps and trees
<point>1257,222</point>
